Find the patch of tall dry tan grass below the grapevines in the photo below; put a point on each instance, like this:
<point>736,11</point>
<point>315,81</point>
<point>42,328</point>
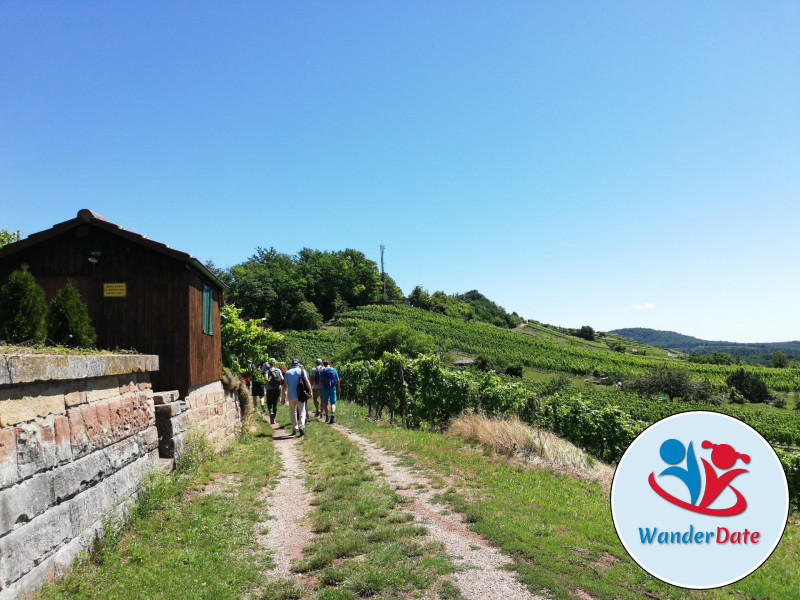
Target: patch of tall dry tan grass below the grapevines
<point>511,437</point>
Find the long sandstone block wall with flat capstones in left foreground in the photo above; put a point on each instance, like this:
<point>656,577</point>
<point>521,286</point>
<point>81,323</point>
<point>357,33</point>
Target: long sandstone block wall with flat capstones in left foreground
<point>77,434</point>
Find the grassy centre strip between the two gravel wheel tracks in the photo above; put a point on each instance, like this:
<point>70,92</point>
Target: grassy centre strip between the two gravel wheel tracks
<point>366,545</point>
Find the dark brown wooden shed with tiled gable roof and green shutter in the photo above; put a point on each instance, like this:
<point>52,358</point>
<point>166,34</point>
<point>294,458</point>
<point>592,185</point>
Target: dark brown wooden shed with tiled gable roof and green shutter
<point>141,294</point>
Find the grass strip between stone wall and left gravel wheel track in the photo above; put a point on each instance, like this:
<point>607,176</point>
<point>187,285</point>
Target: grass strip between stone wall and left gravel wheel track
<point>191,534</point>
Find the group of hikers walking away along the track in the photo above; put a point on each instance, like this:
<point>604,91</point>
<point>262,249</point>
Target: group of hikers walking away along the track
<point>295,386</point>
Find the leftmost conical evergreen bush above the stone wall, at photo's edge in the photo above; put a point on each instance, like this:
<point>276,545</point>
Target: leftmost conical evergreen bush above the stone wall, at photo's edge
<point>22,309</point>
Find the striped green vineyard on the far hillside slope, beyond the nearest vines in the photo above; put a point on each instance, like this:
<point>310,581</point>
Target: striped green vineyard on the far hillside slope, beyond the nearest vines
<point>506,346</point>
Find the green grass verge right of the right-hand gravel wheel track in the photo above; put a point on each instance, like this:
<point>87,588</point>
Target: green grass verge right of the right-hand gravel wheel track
<point>558,528</point>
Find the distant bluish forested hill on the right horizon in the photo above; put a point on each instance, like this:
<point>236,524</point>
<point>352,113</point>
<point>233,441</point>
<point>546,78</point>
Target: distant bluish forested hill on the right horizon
<point>760,353</point>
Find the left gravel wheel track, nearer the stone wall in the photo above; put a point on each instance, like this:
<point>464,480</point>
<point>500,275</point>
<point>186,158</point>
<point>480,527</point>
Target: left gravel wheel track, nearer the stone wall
<point>289,507</point>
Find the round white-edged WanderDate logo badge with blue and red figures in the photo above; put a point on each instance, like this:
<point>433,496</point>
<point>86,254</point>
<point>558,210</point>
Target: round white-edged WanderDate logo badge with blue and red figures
<point>699,500</point>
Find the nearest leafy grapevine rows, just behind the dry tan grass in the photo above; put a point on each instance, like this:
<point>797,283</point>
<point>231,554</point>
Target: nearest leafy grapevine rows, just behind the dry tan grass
<point>423,392</point>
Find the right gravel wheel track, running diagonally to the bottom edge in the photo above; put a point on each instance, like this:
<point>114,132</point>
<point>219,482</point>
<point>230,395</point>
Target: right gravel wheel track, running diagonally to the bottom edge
<point>484,575</point>
